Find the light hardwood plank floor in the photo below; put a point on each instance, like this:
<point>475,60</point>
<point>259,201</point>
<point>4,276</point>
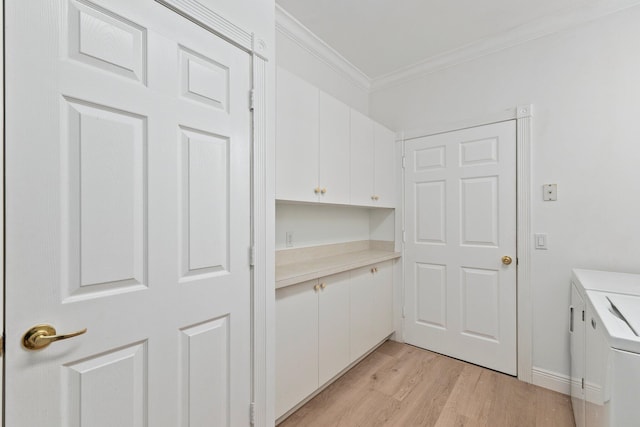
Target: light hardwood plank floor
<point>402,385</point>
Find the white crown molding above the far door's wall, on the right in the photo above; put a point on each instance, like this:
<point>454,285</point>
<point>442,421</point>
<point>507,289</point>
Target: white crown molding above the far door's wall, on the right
<point>536,29</point>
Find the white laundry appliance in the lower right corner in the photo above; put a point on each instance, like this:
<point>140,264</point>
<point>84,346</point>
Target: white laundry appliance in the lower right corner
<point>605,349</point>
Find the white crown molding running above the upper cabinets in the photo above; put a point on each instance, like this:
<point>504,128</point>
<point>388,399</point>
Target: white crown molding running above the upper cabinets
<point>290,27</point>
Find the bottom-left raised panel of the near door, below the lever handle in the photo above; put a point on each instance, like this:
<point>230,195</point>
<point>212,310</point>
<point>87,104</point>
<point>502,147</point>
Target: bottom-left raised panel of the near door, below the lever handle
<point>107,390</point>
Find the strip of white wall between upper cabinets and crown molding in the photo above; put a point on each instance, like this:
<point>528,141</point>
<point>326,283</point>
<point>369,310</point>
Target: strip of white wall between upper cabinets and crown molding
<point>292,57</point>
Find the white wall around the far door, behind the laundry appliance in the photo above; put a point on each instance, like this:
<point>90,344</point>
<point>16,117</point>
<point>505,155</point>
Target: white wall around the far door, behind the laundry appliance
<point>584,84</point>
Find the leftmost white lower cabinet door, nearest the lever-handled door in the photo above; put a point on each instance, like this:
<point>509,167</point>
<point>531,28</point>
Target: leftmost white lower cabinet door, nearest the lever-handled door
<point>296,344</point>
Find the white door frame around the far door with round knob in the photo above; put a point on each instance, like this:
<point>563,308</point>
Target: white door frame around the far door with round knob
<point>523,115</point>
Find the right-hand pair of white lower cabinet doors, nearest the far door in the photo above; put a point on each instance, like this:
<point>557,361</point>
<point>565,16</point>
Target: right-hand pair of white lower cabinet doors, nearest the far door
<point>371,307</point>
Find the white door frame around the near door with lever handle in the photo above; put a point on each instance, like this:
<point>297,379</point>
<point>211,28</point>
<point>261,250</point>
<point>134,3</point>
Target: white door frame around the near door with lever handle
<point>262,206</point>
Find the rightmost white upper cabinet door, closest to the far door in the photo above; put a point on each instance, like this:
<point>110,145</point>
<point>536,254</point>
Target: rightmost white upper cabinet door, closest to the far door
<point>384,170</point>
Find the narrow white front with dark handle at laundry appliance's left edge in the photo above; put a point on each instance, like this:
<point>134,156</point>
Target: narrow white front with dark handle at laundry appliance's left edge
<point>577,349</point>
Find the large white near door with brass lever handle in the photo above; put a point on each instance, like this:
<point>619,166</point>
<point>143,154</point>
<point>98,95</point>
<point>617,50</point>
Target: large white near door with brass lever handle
<point>127,213</point>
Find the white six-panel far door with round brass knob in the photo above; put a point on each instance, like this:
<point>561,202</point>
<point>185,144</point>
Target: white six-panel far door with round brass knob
<point>460,195</point>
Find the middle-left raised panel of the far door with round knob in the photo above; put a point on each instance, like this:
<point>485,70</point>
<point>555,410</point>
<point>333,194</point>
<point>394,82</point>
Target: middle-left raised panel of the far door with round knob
<point>431,225</point>
